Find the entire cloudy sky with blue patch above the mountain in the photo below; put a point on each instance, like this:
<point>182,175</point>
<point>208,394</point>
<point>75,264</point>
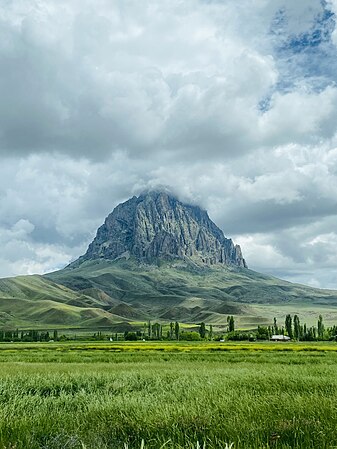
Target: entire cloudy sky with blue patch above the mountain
<point>230,103</point>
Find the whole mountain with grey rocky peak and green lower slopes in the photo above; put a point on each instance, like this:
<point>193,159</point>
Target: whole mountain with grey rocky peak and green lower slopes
<point>160,259</point>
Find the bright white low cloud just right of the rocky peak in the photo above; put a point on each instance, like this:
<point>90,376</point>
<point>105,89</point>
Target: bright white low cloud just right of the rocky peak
<point>304,254</point>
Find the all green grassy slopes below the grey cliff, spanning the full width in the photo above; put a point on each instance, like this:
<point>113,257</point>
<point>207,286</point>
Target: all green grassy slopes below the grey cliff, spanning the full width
<point>123,295</point>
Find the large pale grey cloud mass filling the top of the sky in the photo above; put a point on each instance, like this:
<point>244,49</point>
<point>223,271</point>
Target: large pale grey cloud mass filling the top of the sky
<point>88,79</point>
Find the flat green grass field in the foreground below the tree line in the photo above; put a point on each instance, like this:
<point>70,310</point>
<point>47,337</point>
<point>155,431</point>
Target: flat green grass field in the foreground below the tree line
<point>170,395</point>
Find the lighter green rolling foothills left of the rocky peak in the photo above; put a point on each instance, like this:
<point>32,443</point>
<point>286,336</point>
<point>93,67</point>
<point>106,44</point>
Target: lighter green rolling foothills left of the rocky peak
<point>35,301</point>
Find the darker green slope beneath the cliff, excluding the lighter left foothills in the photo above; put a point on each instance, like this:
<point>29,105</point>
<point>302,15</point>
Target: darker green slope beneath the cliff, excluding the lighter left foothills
<point>183,291</point>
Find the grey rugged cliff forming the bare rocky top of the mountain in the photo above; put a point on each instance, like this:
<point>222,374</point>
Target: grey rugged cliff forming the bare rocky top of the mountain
<point>156,225</point>
